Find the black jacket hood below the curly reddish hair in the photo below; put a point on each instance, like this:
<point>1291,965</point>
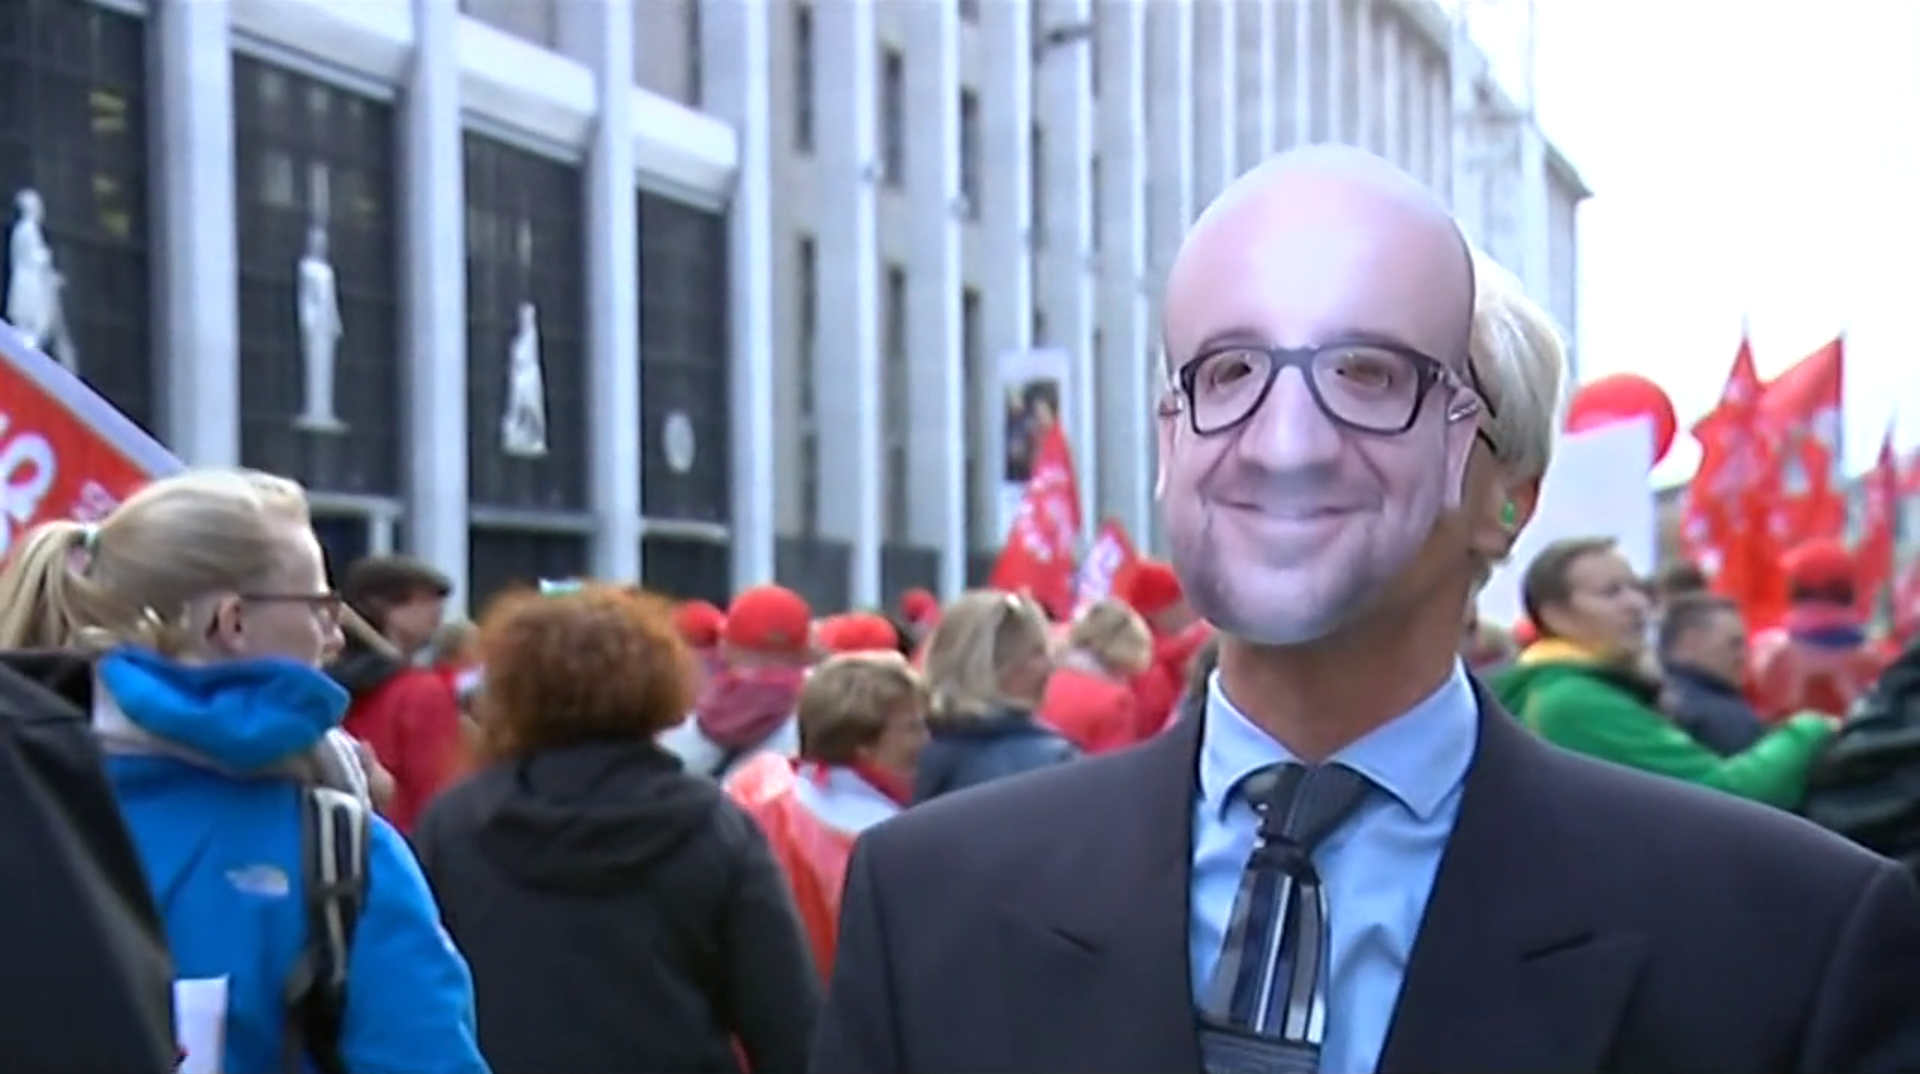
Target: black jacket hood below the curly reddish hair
<point>590,819</point>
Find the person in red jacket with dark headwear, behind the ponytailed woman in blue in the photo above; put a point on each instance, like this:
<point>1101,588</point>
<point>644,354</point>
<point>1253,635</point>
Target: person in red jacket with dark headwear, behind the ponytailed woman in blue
<point>406,714</point>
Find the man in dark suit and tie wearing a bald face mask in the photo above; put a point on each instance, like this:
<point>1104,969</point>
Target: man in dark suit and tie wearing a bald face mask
<point>1262,889</point>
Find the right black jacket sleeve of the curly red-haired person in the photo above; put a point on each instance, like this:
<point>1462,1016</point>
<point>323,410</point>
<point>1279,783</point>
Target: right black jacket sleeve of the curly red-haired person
<point>773,989</point>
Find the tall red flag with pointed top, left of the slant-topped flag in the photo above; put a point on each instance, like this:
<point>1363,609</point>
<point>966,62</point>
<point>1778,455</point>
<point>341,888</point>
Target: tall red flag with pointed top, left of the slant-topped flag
<point>1731,525</point>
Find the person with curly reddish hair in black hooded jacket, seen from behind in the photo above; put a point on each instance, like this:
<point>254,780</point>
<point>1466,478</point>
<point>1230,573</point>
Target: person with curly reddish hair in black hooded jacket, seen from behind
<point>621,915</point>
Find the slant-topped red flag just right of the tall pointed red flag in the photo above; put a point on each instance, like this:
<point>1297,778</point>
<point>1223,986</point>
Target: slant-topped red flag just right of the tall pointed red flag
<point>1804,410</point>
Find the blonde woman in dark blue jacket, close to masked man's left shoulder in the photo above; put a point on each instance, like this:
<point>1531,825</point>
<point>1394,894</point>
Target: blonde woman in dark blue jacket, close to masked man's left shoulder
<point>988,668</point>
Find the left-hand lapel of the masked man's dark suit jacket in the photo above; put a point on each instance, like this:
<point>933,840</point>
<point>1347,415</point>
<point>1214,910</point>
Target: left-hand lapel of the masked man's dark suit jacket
<point>1101,954</point>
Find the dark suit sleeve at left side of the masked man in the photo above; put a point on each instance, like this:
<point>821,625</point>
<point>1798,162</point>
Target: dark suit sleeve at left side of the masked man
<point>859,1027</point>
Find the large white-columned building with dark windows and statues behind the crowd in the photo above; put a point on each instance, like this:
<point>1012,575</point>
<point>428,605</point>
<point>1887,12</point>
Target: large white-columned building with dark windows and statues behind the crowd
<point>773,247</point>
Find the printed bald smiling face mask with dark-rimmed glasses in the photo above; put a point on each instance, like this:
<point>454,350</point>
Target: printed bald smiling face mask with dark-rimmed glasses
<point>1320,410</point>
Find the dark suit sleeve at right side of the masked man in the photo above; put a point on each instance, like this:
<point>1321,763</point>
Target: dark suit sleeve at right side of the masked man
<point>1867,1013</point>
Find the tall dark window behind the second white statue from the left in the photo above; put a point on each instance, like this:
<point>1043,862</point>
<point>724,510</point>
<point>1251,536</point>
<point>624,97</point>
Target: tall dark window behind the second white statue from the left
<point>320,324</point>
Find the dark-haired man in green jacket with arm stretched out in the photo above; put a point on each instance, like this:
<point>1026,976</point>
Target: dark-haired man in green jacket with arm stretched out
<point>1591,683</point>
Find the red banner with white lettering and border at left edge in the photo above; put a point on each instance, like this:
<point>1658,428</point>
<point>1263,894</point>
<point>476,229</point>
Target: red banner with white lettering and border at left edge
<point>64,451</point>
